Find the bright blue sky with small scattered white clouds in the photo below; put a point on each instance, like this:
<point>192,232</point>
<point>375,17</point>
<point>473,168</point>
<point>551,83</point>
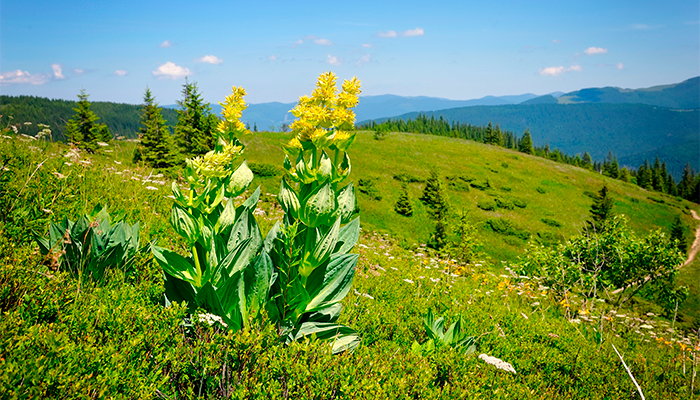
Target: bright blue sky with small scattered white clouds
<point>452,49</point>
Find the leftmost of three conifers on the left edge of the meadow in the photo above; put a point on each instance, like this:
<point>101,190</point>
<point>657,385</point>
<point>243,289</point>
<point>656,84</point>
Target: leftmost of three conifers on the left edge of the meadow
<point>83,129</point>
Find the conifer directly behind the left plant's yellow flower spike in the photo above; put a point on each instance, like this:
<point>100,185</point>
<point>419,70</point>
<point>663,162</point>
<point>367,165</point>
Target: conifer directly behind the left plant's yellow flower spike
<point>196,125</point>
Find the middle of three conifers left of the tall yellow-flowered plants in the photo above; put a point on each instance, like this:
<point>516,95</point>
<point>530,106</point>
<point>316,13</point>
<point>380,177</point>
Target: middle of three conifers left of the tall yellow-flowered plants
<point>155,147</point>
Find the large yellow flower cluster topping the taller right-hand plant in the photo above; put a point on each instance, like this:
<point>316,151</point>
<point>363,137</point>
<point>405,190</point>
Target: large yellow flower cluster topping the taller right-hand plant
<point>326,114</point>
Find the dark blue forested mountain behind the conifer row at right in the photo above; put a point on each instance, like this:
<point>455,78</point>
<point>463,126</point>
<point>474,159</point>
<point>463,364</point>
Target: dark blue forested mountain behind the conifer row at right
<point>628,130</point>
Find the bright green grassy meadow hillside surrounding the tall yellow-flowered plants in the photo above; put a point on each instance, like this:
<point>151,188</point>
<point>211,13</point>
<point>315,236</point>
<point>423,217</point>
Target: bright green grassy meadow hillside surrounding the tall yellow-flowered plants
<point>60,337</point>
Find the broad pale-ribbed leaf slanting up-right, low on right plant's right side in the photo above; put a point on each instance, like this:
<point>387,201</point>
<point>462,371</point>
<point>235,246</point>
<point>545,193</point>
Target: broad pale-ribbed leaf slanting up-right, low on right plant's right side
<point>336,282</point>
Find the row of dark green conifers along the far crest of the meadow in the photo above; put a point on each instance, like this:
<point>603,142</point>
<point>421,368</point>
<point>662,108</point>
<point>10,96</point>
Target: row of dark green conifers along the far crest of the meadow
<point>653,177</point>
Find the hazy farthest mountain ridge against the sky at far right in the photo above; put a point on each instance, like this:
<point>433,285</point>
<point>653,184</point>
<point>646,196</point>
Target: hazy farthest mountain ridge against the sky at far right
<point>683,95</point>
